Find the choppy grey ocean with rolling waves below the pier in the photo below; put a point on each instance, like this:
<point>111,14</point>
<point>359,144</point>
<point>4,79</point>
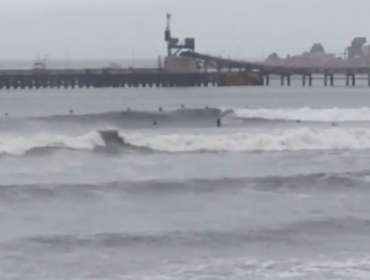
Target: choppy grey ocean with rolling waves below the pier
<point>102,184</point>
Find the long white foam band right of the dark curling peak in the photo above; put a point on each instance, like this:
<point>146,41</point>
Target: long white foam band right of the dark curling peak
<point>279,140</point>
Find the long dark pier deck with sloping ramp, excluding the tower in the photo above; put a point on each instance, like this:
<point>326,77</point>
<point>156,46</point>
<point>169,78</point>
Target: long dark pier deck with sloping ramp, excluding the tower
<point>226,72</point>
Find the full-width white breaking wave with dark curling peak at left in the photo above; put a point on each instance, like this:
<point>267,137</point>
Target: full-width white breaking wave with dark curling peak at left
<point>302,139</point>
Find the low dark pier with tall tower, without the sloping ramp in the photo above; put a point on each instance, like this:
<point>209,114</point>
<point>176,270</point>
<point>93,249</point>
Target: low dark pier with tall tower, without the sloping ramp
<point>174,70</point>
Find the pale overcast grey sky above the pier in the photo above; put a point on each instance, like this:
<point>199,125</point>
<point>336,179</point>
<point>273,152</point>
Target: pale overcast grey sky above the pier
<point>111,29</point>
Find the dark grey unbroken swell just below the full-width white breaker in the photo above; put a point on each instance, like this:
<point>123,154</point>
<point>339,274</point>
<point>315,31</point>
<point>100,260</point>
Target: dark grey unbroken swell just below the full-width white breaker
<point>275,183</point>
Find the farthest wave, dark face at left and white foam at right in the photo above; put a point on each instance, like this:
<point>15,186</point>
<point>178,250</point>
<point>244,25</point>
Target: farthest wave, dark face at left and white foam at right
<point>193,117</point>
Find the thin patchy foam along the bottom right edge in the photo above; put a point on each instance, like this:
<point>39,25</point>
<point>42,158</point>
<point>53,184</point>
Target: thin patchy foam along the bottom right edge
<point>260,269</point>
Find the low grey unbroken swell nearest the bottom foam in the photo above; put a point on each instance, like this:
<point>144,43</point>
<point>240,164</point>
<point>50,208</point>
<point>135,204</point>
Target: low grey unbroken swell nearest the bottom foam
<point>287,233</point>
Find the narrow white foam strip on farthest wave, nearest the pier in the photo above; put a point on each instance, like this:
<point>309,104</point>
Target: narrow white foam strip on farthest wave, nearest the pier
<point>307,114</point>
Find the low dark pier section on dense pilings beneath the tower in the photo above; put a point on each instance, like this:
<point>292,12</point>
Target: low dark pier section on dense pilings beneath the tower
<point>105,78</point>
